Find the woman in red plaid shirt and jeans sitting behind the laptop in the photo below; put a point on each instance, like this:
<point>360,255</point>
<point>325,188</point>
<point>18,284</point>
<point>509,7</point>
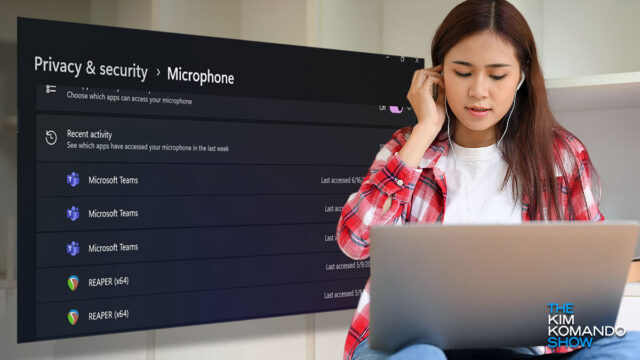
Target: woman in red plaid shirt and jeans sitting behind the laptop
<point>486,150</point>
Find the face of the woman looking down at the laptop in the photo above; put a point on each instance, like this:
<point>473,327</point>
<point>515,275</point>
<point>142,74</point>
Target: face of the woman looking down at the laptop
<point>481,71</point>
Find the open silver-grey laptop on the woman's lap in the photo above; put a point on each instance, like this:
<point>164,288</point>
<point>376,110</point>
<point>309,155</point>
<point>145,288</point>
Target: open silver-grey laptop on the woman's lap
<point>488,286</point>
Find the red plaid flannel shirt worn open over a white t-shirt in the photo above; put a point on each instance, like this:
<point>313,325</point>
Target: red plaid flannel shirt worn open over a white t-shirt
<point>394,193</point>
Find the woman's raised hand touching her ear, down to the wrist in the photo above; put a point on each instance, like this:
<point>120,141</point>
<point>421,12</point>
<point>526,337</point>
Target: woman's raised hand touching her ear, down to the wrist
<point>430,113</point>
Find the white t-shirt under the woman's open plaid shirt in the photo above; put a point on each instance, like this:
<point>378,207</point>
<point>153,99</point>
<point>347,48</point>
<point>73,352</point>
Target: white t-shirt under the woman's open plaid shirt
<point>473,181</point>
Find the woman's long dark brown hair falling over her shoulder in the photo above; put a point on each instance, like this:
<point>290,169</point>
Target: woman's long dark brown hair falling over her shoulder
<point>528,146</point>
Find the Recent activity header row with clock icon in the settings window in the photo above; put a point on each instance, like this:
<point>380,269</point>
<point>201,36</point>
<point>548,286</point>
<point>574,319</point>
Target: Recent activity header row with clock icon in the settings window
<point>104,139</point>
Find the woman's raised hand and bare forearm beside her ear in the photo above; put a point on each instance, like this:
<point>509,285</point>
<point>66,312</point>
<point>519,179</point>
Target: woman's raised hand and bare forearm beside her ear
<point>430,114</point>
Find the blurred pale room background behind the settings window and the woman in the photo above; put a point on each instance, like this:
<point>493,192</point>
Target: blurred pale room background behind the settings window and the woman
<point>590,56</point>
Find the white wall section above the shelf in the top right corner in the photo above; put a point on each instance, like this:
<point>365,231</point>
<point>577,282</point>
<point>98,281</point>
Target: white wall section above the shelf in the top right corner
<point>584,37</point>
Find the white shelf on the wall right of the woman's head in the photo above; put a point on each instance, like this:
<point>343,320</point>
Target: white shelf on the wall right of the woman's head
<point>594,92</point>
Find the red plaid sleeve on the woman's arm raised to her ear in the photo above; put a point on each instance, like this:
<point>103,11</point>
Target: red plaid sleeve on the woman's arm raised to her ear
<point>383,198</point>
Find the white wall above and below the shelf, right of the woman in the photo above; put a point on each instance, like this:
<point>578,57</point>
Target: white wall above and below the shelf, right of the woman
<point>585,37</point>
